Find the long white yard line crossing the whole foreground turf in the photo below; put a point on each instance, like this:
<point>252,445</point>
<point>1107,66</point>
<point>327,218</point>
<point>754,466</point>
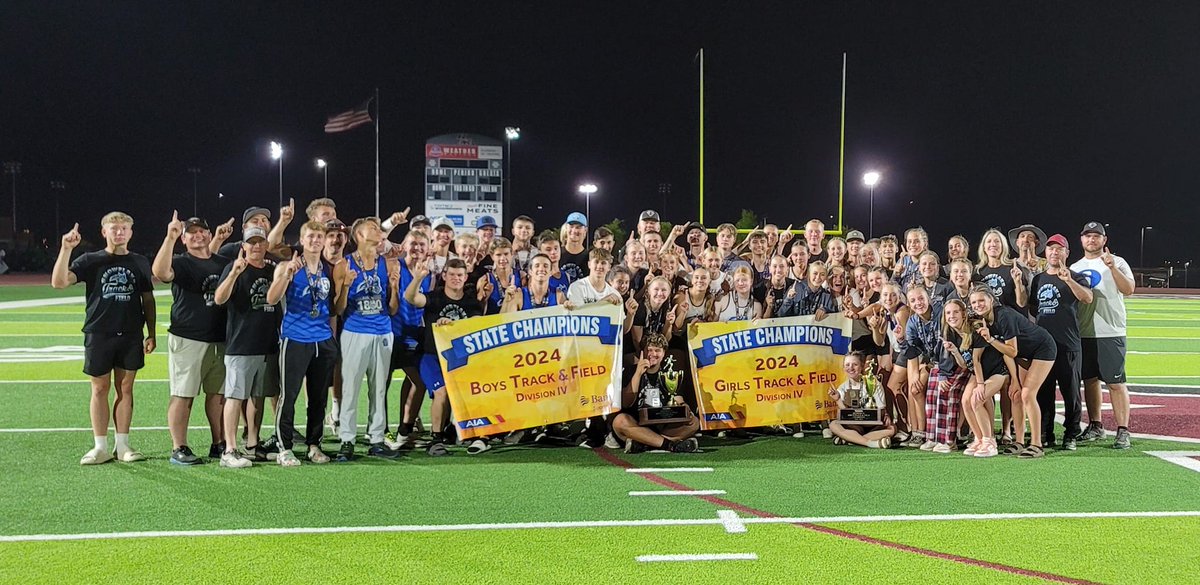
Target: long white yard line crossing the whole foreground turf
<point>585,524</point>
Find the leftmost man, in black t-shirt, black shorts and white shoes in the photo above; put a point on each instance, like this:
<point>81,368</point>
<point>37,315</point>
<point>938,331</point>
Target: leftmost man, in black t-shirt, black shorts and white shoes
<point>121,303</point>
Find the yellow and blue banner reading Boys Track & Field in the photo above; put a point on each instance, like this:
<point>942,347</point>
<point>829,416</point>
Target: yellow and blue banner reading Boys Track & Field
<point>518,371</point>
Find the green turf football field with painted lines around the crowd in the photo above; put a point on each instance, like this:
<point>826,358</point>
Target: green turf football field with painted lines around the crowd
<point>763,511</point>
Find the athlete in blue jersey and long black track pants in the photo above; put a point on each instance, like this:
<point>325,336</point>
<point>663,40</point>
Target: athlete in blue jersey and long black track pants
<point>309,349</point>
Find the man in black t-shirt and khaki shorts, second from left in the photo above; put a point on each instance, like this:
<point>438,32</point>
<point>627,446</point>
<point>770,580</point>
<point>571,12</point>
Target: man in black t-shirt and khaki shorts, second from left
<point>196,339</point>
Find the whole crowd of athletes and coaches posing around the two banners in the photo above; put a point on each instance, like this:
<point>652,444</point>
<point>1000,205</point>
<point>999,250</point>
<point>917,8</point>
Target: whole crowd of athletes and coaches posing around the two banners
<point>262,321</point>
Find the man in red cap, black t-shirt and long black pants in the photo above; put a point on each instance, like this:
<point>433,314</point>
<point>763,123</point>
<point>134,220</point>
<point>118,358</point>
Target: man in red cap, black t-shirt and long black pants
<point>1058,293</point>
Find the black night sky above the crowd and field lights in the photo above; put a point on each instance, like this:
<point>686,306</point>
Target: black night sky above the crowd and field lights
<point>979,114</point>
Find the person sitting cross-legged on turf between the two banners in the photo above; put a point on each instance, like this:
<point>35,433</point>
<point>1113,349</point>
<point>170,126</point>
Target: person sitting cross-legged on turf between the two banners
<point>644,389</point>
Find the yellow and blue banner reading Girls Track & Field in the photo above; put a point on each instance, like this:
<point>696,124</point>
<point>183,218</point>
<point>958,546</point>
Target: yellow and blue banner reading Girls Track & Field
<point>767,372</point>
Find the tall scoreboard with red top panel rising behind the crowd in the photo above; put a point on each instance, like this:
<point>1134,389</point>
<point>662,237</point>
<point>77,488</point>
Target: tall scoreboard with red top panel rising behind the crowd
<point>465,179</point>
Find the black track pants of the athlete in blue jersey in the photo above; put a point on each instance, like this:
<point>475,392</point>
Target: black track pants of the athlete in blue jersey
<point>313,363</point>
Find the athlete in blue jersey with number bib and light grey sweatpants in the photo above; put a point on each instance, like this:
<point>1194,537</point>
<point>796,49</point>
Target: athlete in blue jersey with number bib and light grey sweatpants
<point>365,295</point>
